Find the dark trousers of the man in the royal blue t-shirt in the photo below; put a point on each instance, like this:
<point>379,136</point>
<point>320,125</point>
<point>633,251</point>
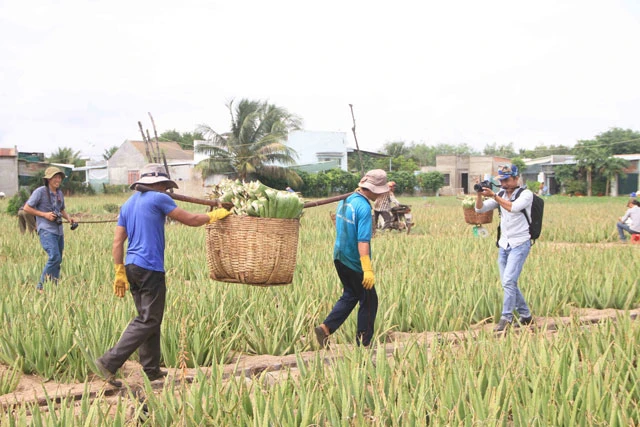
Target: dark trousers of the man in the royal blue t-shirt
<point>148,289</point>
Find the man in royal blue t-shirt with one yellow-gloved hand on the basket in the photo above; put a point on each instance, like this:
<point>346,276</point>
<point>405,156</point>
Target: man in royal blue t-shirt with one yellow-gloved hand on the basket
<point>141,221</point>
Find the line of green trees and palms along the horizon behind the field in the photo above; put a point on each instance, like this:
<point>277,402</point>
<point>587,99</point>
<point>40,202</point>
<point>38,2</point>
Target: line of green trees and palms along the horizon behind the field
<point>254,147</point>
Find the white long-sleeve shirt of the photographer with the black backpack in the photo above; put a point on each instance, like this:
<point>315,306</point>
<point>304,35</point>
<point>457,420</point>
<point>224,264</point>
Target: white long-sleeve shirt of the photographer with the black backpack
<point>514,228</point>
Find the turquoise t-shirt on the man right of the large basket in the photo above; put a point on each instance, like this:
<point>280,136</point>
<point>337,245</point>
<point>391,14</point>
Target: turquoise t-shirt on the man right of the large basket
<point>353,225</point>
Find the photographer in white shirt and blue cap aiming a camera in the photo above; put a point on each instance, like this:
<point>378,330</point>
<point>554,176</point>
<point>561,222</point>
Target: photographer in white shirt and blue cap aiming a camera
<point>514,243</point>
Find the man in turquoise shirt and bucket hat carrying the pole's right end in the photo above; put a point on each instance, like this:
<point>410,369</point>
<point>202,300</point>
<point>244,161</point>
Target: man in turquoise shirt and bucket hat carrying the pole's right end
<point>352,259</point>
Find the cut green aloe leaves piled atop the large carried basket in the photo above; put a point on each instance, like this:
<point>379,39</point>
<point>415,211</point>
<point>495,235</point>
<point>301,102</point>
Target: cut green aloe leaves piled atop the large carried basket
<point>256,199</point>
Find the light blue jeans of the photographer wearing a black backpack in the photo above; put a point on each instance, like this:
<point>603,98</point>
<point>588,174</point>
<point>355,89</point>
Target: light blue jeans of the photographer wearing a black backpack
<point>510,262</point>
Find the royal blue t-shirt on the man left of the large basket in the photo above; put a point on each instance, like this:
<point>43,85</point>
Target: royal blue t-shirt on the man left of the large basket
<point>143,217</point>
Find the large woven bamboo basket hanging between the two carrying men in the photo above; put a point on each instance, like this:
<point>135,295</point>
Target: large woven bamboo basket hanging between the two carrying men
<point>253,251</point>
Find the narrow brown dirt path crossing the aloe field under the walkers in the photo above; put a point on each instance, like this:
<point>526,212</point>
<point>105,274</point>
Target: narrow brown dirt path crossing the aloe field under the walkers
<point>33,389</point>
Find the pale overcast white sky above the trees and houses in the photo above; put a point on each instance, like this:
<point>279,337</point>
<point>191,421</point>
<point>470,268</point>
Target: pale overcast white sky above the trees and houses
<point>81,74</point>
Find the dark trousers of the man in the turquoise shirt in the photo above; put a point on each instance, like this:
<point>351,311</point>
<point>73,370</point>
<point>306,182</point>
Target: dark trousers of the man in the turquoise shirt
<point>353,293</point>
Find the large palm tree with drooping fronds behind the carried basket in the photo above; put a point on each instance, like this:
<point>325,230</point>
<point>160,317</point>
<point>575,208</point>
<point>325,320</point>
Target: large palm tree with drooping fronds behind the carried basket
<point>255,146</point>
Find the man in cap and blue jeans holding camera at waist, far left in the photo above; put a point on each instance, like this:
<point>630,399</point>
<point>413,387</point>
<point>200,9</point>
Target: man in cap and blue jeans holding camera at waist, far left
<point>47,205</point>
